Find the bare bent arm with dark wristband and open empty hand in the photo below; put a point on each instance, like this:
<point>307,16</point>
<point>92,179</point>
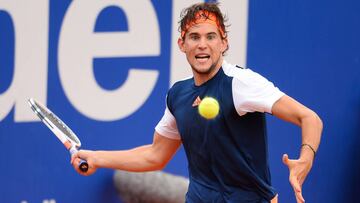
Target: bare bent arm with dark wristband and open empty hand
<point>288,109</point>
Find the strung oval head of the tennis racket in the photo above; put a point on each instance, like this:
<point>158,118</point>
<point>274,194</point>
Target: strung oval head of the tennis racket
<point>54,123</point>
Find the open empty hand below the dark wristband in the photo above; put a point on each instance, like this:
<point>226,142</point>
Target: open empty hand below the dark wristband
<point>298,169</point>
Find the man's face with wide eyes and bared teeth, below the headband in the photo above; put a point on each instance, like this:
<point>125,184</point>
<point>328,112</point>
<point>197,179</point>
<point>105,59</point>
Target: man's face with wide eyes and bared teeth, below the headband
<point>203,47</point>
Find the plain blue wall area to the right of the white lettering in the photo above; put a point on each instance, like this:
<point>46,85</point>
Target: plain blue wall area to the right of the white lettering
<point>311,50</point>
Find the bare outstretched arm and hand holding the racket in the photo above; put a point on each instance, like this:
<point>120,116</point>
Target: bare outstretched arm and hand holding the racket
<point>150,157</point>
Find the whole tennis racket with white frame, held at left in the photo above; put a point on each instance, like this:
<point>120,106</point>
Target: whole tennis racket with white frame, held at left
<point>60,129</point>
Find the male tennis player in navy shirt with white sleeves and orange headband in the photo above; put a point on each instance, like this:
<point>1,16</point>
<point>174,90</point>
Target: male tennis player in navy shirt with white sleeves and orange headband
<point>227,156</point>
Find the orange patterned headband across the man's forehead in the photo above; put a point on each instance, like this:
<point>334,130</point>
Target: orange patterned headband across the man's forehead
<point>203,17</point>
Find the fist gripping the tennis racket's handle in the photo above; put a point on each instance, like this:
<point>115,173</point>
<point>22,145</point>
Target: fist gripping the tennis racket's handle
<point>85,155</point>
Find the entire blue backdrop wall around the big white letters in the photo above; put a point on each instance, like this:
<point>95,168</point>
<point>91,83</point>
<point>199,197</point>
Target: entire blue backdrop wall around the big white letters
<point>309,49</point>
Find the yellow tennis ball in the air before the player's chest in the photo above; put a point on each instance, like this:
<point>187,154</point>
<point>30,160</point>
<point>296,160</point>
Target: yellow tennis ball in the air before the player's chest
<point>209,108</point>
